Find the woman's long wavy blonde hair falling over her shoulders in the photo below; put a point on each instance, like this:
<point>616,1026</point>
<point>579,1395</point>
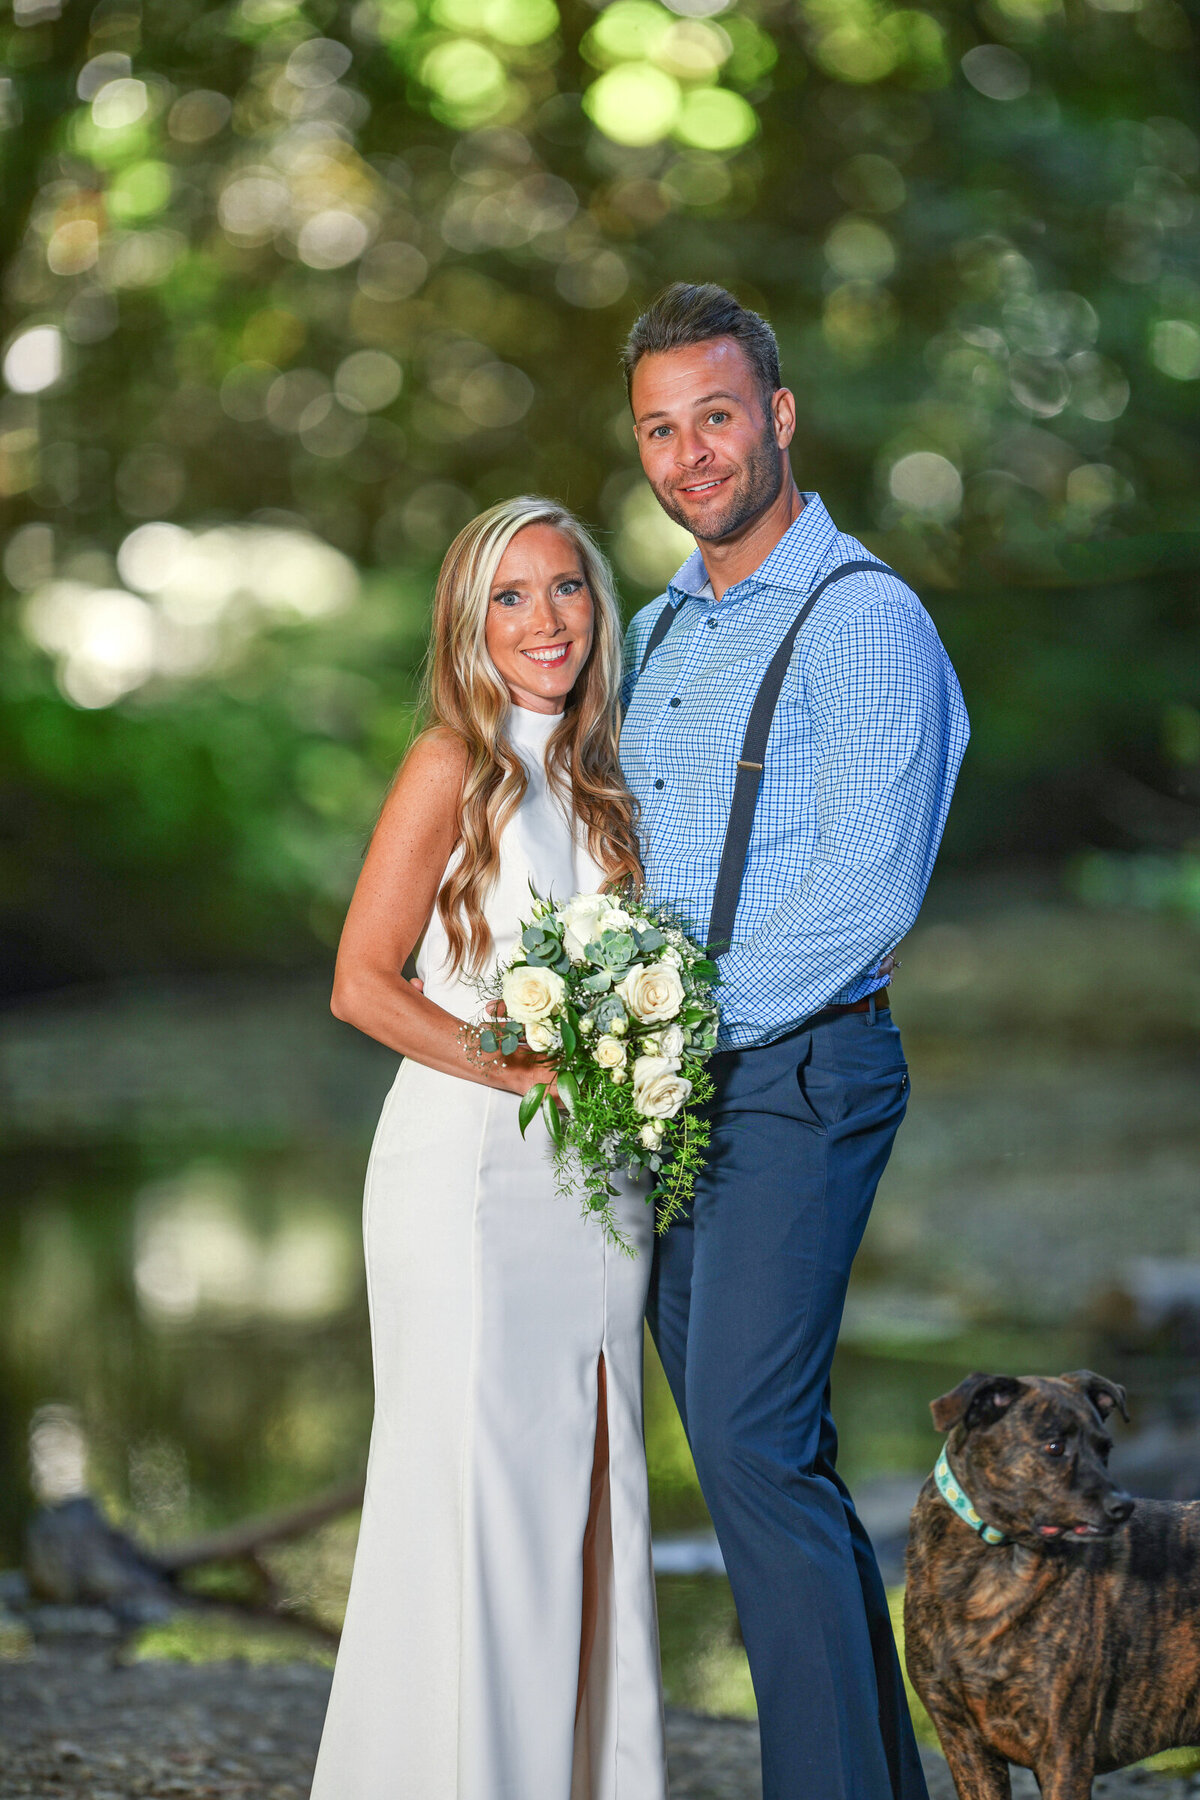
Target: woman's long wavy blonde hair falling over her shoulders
<point>467,696</point>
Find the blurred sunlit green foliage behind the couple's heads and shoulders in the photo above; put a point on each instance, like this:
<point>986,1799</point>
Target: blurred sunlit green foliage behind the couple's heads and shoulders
<point>292,289</point>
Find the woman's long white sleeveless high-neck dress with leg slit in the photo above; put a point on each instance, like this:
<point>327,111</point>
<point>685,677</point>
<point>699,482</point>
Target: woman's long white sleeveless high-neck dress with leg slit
<point>492,1300</point>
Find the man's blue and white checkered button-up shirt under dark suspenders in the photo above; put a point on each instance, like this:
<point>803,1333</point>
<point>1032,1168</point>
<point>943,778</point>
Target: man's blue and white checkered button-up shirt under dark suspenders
<point>857,780</point>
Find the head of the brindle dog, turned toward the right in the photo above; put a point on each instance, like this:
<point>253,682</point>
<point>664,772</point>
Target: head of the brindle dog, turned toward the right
<point>1034,1453</point>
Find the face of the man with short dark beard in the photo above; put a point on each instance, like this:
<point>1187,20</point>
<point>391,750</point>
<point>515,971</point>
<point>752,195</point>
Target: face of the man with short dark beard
<point>712,445</point>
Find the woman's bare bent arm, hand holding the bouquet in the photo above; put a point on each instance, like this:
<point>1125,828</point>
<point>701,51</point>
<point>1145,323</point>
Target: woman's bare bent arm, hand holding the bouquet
<point>390,912</point>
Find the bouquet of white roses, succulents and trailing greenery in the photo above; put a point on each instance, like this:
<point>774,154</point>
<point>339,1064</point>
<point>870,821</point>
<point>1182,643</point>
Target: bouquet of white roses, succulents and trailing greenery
<point>620,1002</point>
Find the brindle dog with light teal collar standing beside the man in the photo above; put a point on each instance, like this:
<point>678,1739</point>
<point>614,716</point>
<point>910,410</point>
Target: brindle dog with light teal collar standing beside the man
<point>1075,1646</point>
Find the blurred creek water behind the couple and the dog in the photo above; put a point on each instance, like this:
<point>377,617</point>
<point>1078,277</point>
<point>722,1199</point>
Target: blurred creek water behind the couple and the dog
<point>183,1315</point>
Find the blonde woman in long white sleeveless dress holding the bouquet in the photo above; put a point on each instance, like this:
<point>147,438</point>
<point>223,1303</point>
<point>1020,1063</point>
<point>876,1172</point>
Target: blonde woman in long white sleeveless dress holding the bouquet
<point>501,1639</point>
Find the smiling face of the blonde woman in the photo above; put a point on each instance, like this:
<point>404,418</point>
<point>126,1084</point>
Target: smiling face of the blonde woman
<point>541,618</point>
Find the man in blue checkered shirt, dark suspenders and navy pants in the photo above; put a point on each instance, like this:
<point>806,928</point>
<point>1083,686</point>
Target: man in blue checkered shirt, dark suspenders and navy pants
<point>793,789</point>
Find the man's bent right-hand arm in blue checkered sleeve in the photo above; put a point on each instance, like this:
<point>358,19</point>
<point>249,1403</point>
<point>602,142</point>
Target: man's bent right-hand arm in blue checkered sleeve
<point>890,733</point>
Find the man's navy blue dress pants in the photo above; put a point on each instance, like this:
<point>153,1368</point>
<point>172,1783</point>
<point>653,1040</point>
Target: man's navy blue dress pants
<point>746,1306</point>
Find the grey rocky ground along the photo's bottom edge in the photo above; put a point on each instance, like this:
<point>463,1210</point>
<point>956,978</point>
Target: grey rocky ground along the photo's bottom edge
<point>76,1722</point>
